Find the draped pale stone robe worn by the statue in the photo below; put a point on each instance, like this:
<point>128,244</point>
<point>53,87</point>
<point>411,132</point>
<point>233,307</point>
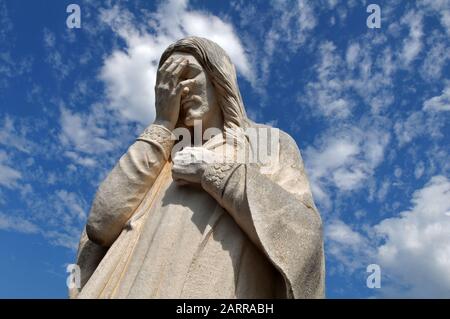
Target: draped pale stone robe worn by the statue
<point>243,233</point>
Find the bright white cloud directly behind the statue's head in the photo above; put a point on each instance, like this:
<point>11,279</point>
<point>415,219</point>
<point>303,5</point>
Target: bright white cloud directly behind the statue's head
<point>130,74</point>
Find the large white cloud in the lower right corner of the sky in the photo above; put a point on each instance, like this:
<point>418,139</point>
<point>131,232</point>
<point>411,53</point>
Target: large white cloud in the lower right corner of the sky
<point>416,252</point>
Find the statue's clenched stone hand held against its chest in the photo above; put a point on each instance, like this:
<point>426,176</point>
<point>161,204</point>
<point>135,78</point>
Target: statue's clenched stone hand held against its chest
<point>190,163</point>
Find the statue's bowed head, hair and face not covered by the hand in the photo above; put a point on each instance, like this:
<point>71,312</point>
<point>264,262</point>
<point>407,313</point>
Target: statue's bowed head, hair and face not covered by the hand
<point>216,88</point>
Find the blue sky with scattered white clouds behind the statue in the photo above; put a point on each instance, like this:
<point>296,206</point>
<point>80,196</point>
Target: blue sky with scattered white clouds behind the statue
<point>369,109</point>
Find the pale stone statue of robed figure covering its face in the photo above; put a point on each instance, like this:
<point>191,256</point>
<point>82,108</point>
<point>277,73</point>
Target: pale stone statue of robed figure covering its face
<point>198,221</point>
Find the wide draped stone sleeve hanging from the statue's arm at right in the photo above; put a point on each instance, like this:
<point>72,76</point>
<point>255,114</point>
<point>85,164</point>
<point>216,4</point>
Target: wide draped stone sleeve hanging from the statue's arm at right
<point>277,213</point>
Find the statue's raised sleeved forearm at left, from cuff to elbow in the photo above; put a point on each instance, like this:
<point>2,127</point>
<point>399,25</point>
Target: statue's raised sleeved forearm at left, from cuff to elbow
<point>126,185</point>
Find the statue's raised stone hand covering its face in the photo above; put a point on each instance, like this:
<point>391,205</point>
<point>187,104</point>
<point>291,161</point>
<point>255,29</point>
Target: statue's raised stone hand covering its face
<point>168,91</point>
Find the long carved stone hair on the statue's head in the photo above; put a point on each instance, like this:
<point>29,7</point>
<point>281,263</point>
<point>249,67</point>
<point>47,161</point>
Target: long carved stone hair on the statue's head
<point>222,74</point>
